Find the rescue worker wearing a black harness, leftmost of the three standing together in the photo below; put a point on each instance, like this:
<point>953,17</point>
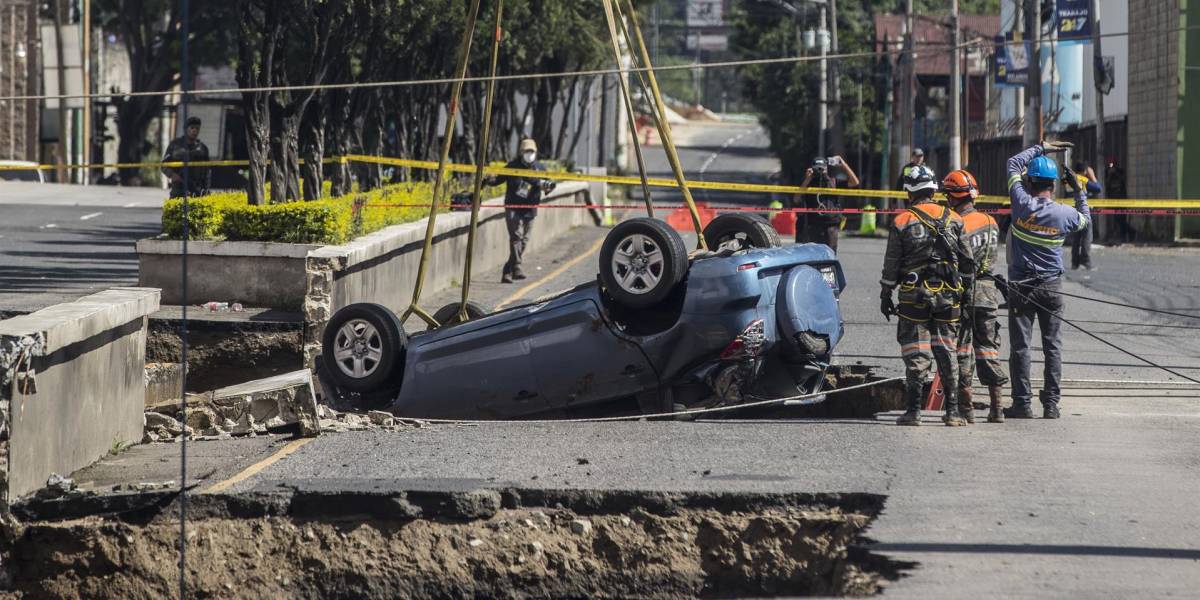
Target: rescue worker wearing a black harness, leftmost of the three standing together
<point>929,262</point>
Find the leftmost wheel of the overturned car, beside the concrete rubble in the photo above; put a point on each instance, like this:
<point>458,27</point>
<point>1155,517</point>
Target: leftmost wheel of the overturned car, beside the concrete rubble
<point>363,349</point>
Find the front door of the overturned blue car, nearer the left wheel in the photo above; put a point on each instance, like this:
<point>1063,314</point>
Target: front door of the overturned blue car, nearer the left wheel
<point>483,373</point>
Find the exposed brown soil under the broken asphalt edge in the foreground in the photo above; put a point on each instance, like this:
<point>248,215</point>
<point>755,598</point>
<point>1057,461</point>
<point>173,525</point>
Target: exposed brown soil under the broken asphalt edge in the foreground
<point>704,551</point>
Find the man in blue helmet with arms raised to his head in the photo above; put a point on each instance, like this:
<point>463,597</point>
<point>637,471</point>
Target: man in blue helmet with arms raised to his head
<point>1041,226</point>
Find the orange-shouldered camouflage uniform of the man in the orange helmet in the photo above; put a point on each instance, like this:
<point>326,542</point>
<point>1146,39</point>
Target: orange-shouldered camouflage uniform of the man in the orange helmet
<point>980,337</point>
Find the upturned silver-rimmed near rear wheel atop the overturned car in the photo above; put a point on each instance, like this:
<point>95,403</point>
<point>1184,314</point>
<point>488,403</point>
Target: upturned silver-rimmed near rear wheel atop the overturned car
<point>641,262</point>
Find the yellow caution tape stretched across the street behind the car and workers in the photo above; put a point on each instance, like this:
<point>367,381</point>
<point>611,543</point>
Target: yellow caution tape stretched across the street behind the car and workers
<point>727,187</point>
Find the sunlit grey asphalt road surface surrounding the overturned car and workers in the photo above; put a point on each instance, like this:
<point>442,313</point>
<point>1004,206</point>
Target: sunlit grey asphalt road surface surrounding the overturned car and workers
<point>1100,505</point>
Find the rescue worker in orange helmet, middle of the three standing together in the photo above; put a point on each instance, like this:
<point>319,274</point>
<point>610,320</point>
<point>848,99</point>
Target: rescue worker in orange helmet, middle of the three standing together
<point>980,333</point>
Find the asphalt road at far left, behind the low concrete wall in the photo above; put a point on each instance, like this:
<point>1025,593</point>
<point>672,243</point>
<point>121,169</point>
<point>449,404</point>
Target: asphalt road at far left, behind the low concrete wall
<point>59,243</point>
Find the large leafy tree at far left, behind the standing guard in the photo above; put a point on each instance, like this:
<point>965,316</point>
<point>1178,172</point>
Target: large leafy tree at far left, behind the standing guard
<point>152,33</point>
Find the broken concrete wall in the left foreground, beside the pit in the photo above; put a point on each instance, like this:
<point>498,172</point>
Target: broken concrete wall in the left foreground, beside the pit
<point>74,385</point>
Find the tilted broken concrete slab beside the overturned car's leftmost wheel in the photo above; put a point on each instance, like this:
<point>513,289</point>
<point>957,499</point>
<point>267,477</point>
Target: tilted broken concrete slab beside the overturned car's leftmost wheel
<point>273,403</point>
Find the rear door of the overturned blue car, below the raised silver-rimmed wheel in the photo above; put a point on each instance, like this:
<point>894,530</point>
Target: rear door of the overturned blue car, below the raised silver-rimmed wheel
<point>579,361</point>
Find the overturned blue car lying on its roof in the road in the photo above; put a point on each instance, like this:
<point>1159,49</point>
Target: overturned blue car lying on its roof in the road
<point>674,331</point>
